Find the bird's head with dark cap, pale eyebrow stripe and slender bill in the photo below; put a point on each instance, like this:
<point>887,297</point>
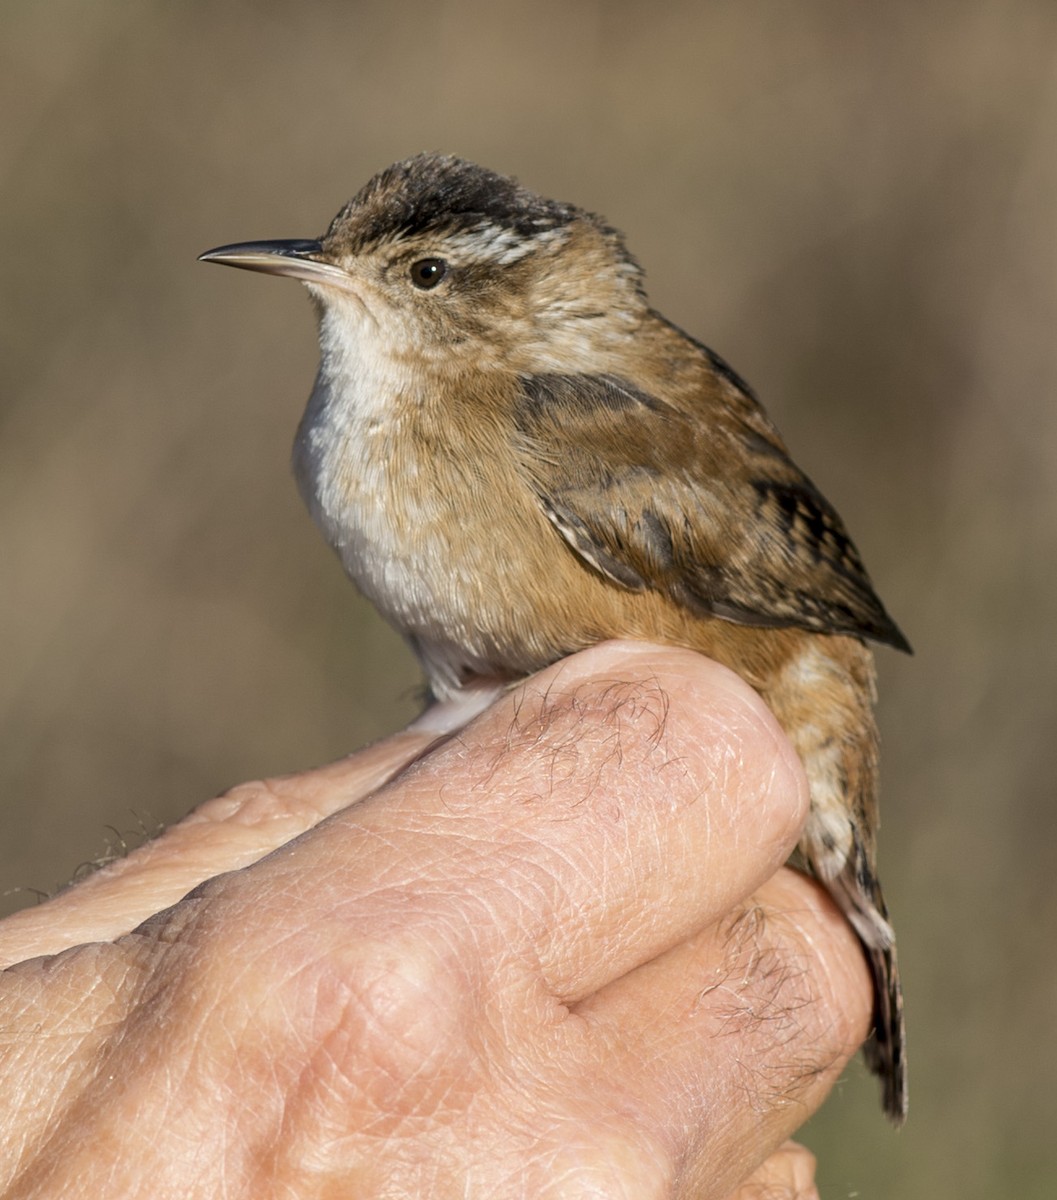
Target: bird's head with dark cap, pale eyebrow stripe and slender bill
<point>436,257</point>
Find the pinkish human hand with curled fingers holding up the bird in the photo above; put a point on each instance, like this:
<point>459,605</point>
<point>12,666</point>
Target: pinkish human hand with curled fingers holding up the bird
<point>557,957</point>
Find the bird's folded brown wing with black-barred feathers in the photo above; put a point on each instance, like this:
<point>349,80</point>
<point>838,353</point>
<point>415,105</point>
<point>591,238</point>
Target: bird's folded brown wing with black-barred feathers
<point>711,512</point>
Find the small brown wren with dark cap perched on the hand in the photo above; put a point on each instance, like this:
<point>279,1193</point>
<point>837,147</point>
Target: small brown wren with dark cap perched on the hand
<point>515,458</point>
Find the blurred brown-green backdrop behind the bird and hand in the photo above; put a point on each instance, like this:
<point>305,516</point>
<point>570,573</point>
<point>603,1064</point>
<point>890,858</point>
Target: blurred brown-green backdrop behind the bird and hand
<point>852,203</point>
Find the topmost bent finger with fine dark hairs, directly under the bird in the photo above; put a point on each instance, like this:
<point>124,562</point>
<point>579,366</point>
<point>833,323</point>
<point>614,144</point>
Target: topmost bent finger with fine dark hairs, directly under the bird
<point>600,814</point>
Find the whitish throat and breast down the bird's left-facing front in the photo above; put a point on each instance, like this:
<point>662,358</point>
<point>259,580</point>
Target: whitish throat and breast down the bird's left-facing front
<point>358,459</point>
